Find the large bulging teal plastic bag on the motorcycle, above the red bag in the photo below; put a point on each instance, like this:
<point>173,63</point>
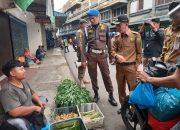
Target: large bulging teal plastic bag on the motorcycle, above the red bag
<point>167,104</point>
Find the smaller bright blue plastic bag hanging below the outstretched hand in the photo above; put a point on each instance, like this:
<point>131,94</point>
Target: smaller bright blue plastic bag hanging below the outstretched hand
<point>143,96</point>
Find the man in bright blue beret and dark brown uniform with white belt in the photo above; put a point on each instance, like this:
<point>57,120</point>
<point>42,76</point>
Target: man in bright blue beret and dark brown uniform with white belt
<point>98,41</point>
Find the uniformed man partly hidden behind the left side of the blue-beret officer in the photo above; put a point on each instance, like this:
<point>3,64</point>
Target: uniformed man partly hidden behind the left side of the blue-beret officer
<point>81,50</point>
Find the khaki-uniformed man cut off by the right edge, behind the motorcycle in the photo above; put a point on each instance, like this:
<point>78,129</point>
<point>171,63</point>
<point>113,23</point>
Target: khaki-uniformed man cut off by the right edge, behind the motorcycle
<point>171,48</point>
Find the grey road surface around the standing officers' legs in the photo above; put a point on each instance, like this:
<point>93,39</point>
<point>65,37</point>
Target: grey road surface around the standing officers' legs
<point>112,120</point>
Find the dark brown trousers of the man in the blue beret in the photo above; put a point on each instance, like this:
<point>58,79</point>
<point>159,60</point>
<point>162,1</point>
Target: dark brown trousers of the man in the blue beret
<point>101,61</point>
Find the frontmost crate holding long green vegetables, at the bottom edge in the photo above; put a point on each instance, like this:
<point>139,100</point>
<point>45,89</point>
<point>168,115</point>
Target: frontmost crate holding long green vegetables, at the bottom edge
<point>82,126</point>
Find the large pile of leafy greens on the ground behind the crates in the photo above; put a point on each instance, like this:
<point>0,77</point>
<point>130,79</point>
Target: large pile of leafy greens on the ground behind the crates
<point>71,94</point>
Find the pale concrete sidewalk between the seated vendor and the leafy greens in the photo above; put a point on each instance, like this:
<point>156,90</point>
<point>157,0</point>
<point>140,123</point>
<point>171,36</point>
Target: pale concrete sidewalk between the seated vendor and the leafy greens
<point>45,78</point>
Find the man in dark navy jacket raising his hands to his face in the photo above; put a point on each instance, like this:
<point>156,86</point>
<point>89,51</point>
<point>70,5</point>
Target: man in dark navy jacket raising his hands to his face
<point>153,40</point>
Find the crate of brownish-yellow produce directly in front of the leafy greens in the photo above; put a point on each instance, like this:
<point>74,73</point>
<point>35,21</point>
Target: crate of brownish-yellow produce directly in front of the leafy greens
<point>64,110</point>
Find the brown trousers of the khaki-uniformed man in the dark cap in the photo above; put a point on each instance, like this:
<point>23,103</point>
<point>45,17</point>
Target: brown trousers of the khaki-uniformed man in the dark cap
<point>125,73</point>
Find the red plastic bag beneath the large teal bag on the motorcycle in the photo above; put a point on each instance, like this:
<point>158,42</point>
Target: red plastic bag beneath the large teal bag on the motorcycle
<point>158,125</point>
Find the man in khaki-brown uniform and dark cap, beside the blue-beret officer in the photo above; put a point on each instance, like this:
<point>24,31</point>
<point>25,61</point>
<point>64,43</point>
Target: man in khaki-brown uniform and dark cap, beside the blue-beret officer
<point>128,53</point>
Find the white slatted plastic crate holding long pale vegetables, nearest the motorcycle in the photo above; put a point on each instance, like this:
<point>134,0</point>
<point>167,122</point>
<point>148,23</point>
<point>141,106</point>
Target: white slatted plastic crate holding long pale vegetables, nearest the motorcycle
<point>95,123</point>
